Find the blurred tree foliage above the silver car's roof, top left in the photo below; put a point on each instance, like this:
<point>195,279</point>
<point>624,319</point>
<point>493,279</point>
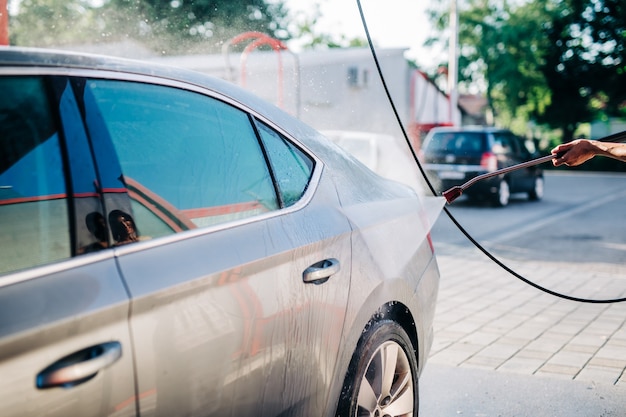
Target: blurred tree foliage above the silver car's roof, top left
<point>164,25</point>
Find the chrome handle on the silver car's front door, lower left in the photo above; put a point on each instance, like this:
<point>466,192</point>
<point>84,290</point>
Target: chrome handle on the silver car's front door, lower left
<point>80,366</point>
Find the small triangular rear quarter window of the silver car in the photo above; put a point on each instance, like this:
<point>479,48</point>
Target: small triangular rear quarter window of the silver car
<point>291,167</point>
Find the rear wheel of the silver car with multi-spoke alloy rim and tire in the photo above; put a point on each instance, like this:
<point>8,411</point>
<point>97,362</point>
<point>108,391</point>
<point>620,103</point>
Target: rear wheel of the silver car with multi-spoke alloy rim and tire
<point>371,386</point>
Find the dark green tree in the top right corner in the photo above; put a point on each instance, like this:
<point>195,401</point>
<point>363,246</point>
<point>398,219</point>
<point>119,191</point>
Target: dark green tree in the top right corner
<point>585,66</point>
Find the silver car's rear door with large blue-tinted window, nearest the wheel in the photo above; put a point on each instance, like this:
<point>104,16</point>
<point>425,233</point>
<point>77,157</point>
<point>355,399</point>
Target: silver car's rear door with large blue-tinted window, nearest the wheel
<point>239,274</point>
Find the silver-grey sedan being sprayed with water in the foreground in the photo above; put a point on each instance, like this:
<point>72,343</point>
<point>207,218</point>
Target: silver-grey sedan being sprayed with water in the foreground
<point>174,246</point>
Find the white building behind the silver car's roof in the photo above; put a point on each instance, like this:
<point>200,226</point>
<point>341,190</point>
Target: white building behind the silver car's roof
<point>335,89</point>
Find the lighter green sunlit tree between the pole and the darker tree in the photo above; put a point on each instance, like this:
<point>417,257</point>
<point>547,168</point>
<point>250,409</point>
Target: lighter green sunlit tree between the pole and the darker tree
<point>498,50</point>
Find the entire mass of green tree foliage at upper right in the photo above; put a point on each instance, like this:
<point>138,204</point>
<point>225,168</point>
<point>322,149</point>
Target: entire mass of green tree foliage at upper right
<point>556,62</point>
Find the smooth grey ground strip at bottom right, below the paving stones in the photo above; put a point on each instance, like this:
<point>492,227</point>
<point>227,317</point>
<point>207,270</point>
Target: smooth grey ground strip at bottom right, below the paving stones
<point>448,391</point>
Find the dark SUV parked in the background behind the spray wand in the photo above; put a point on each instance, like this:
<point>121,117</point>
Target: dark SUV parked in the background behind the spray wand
<point>454,155</point>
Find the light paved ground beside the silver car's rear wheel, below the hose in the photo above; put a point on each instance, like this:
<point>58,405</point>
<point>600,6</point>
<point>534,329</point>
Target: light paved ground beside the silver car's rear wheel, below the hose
<point>503,348</point>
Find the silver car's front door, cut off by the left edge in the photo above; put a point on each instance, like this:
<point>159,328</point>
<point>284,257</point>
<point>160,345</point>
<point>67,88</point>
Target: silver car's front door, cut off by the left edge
<point>64,338</point>
